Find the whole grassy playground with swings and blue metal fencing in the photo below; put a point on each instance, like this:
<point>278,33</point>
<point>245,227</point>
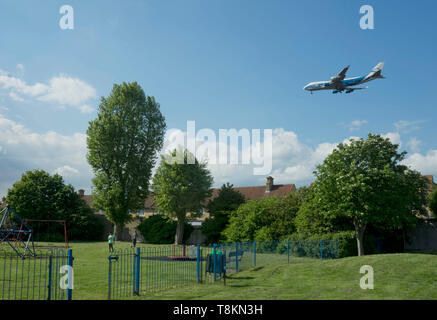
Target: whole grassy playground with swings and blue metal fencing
<point>284,269</point>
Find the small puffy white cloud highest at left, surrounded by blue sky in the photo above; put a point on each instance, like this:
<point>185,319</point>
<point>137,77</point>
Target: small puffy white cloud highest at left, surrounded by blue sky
<point>63,90</point>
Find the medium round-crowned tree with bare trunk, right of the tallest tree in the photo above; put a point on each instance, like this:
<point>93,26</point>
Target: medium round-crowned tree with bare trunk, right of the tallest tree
<point>180,186</point>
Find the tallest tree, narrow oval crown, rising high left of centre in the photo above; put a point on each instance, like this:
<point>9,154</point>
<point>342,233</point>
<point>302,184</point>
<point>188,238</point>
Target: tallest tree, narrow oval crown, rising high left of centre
<point>123,143</point>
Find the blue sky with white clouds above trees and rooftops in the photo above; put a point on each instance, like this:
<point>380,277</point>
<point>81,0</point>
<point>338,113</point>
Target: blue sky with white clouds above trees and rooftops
<point>225,64</point>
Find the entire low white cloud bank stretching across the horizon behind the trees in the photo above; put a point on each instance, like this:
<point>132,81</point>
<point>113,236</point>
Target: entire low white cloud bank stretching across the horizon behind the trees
<point>293,160</point>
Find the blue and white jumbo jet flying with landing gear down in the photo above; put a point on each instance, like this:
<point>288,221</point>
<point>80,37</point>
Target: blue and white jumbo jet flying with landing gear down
<point>340,84</point>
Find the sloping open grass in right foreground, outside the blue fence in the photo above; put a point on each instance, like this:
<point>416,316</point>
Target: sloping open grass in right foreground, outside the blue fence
<point>396,276</point>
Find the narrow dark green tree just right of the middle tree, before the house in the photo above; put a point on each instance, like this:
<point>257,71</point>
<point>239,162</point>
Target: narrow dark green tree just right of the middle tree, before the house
<point>219,208</point>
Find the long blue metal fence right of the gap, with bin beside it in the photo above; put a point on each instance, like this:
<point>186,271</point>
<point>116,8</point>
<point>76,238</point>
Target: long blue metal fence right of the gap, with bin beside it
<point>137,271</point>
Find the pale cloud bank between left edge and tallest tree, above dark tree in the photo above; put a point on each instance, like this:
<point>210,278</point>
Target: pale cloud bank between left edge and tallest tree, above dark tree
<point>50,151</point>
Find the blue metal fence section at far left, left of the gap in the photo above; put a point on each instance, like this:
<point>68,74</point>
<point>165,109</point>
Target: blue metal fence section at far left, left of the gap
<point>36,277</point>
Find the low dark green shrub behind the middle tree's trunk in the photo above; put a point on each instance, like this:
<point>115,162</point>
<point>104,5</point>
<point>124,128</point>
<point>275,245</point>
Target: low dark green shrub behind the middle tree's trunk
<point>158,229</point>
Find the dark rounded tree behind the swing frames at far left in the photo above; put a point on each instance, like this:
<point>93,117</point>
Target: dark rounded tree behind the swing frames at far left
<point>39,195</point>
